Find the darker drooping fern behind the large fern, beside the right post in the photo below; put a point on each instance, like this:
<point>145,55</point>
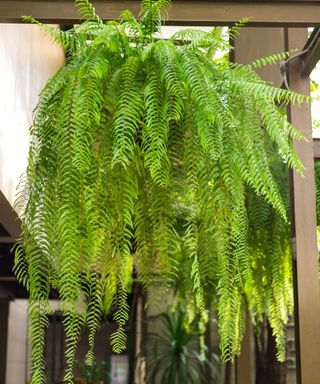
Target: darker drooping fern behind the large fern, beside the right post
<point>269,290</point>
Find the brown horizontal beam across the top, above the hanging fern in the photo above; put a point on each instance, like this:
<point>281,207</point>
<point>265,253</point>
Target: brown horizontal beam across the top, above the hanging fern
<point>268,13</point>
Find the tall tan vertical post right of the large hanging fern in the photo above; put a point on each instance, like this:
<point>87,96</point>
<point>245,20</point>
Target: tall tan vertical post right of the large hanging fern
<point>305,253</point>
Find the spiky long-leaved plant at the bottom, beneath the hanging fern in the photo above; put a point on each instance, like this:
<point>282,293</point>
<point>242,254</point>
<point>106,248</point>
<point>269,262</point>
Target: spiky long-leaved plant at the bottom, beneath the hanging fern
<point>174,354</point>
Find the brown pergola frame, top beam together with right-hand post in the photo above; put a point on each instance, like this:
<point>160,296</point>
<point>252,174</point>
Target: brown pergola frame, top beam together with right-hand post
<point>293,17</point>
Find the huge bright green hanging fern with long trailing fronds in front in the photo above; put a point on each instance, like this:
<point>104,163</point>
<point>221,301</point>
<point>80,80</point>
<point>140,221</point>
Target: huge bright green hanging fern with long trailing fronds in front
<point>131,134</point>
